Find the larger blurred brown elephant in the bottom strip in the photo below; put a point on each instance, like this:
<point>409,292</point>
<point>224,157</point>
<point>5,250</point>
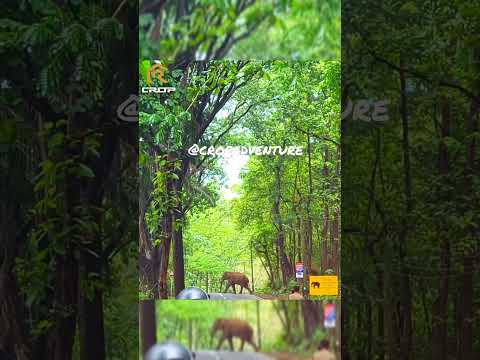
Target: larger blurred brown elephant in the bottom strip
<point>231,328</point>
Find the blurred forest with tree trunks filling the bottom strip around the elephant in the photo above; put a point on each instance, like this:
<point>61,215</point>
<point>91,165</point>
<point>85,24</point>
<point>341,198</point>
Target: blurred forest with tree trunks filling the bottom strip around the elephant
<point>281,329</point>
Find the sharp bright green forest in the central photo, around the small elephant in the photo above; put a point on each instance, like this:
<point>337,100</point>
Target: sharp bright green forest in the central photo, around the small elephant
<point>201,216</point>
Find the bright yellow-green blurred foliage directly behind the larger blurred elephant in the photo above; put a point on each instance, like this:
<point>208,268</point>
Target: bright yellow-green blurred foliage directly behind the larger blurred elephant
<point>190,323</point>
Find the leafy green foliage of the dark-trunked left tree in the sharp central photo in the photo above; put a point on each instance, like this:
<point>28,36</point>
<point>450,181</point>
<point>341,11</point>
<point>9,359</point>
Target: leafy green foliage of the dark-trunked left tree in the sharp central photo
<point>168,126</point>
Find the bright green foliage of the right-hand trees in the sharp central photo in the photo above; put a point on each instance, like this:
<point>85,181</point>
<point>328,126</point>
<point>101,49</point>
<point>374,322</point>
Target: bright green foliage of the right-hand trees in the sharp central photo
<point>306,98</point>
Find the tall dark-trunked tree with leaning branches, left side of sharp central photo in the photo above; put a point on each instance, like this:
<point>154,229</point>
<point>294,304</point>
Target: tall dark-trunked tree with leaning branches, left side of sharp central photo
<point>167,130</point>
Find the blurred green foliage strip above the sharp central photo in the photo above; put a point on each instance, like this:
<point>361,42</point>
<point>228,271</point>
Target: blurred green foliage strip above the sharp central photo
<point>262,30</point>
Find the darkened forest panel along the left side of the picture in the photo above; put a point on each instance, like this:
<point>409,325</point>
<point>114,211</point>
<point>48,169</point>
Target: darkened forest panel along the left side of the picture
<point>68,181</point>
